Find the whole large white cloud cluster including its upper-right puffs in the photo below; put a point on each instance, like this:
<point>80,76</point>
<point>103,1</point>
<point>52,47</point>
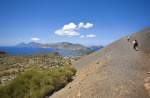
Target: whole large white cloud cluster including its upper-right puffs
<point>72,29</point>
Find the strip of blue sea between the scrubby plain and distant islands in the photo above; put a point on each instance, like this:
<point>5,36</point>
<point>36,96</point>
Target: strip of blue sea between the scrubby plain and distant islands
<point>33,51</point>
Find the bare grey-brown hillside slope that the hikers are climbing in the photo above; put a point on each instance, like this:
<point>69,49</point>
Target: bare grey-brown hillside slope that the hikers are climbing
<point>116,71</point>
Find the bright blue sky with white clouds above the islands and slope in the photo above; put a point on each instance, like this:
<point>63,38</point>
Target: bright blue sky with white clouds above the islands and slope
<point>89,22</point>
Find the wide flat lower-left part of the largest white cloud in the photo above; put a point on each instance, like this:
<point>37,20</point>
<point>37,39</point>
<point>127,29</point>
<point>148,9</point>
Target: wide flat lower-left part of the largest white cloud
<point>70,33</point>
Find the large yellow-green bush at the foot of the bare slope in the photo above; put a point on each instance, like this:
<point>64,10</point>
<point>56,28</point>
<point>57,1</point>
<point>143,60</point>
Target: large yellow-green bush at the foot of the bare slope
<point>36,83</point>
